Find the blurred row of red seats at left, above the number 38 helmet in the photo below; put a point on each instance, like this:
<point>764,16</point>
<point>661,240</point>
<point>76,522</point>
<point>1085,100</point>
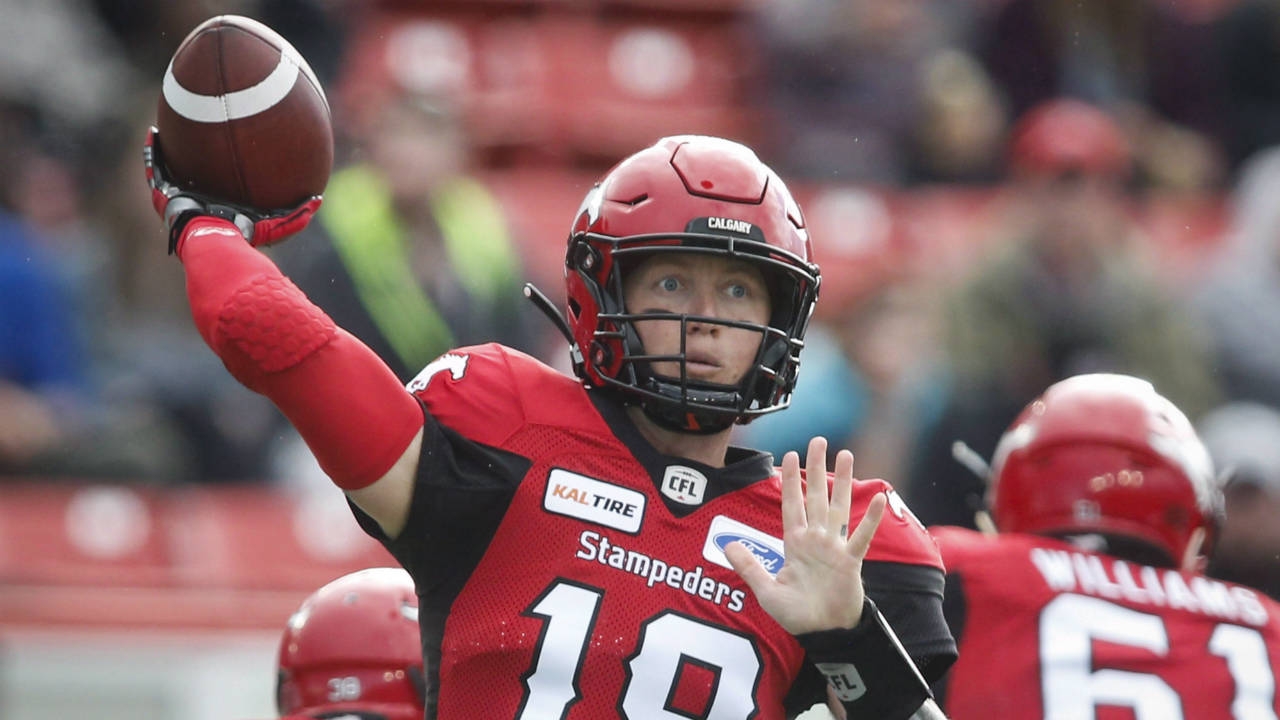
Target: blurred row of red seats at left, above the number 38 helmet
<point>181,558</point>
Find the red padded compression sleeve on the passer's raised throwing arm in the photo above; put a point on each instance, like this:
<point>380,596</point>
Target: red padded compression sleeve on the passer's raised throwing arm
<point>344,400</point>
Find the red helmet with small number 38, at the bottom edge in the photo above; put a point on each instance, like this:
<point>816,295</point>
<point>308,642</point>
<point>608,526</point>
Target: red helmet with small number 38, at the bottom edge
<point>354,646</point>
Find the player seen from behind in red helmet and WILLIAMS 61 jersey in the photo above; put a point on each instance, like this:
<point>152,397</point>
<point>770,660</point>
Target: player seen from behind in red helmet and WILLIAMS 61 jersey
<point>1090,603</point>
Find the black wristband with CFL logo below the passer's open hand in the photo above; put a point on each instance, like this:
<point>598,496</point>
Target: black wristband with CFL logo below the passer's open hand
<point>868,668</point>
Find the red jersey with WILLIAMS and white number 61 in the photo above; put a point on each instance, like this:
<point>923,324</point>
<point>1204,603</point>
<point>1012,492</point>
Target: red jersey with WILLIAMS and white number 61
<point>1050,632</point>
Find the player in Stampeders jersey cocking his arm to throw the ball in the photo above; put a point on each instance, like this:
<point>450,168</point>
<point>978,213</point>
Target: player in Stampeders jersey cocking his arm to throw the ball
<point>595,548</point>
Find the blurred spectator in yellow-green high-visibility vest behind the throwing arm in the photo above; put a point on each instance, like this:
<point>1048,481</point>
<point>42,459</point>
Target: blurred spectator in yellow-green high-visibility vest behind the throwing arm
<point>413,256</point>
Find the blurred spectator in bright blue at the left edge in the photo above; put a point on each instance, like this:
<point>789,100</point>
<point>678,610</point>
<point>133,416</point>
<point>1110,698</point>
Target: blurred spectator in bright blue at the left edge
<point>56,295</point>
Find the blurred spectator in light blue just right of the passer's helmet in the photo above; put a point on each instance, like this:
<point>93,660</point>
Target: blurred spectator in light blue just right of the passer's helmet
<point>872,382</point>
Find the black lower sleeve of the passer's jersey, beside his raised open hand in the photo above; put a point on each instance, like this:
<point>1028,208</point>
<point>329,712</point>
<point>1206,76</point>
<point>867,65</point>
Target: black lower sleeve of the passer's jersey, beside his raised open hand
<point>911,600</point>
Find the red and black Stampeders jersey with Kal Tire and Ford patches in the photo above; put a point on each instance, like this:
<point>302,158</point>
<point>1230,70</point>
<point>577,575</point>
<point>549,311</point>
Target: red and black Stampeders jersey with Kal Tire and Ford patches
<point>568,571</point>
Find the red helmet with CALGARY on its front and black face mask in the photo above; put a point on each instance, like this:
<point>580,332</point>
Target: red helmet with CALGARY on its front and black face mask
<point>689,194</point>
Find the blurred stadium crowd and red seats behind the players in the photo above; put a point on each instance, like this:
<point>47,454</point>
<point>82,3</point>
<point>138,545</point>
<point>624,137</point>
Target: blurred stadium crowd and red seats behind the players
<point>1002,193</point>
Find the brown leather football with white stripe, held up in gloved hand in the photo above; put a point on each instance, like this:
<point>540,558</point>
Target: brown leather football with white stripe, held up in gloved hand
<point>243,119</point>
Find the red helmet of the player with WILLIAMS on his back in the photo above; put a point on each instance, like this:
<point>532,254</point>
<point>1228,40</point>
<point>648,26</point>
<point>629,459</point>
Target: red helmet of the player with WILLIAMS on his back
<point>1105,454</point>
